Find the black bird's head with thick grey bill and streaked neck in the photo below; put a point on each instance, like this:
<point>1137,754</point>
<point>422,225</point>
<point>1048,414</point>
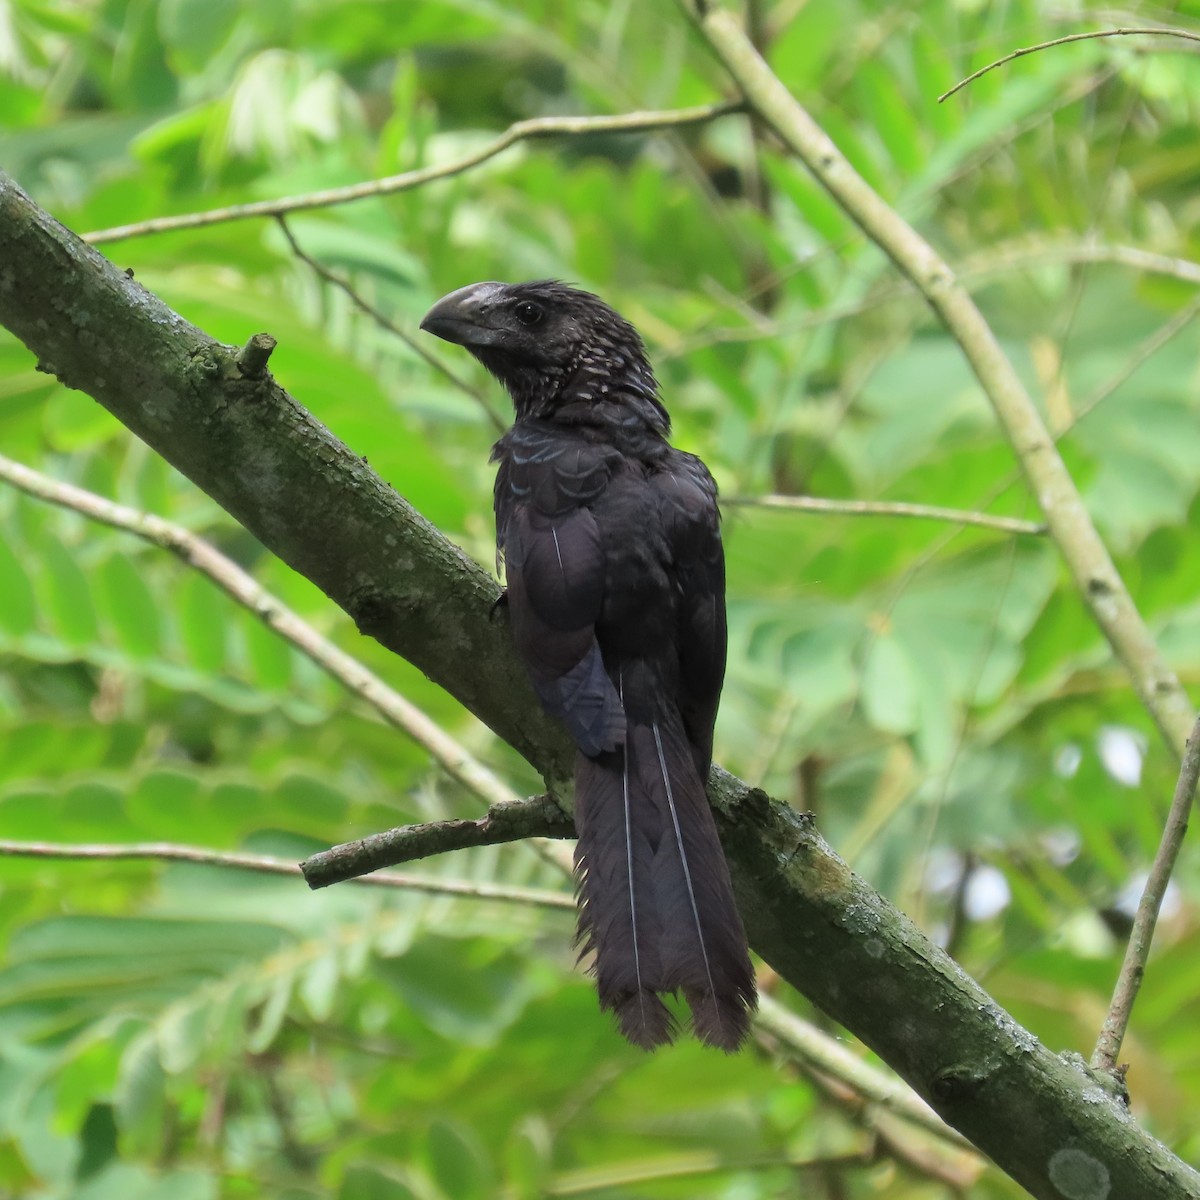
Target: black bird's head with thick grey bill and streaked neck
<point>561,353</point>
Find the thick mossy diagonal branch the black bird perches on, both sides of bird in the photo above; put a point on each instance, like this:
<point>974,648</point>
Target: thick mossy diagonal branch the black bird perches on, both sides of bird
<point>1048,1123</point>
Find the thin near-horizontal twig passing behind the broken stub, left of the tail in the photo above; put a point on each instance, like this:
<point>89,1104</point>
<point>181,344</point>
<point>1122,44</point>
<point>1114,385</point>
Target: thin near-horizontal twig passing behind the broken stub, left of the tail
<point>169,851</point>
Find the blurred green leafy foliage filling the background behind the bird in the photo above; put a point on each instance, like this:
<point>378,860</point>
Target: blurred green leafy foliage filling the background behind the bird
<point>938,695</point>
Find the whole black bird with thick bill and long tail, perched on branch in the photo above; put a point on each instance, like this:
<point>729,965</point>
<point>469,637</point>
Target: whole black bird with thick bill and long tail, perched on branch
<point>616,591</point>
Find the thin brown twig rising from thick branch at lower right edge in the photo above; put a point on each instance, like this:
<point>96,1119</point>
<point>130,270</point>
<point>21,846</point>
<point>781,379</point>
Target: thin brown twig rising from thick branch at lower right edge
<point>1133,969</point>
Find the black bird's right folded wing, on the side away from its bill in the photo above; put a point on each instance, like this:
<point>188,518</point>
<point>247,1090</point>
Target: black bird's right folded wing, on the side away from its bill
<point>693,524</point>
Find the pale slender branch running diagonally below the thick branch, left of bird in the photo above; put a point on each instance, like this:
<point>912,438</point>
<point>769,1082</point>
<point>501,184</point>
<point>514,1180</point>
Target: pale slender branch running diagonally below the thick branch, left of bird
<point>399,712</point>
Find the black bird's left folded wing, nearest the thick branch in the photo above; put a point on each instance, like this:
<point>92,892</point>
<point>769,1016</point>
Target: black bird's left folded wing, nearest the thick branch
<point>556,572</point>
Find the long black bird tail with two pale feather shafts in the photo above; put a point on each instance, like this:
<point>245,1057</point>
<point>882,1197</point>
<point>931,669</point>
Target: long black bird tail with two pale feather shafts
<point>657,902</point>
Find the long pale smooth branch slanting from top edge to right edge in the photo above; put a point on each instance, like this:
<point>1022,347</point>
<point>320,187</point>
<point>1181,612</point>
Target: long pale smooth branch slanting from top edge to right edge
<point>1070,525</point>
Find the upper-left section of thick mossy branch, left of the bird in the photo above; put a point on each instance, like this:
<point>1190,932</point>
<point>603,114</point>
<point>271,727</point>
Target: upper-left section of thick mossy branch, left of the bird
<point>267,461</point>
